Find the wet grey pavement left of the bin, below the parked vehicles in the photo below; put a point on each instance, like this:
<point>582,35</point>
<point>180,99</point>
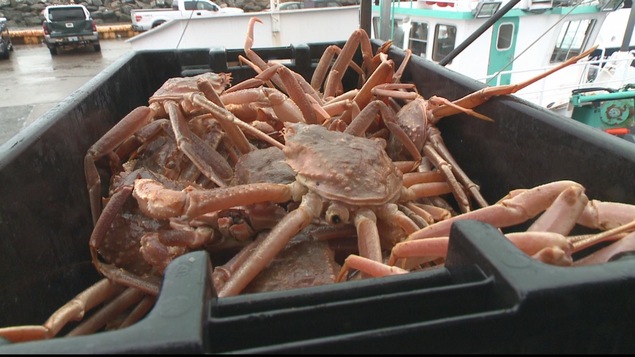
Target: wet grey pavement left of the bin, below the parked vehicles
<point>32,81</point>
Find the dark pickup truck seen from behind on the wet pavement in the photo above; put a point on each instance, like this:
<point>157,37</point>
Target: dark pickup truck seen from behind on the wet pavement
<point>69,26</point>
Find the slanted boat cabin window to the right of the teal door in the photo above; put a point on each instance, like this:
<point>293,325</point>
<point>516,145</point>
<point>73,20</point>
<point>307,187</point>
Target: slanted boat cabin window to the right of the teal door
<point>572,39</point>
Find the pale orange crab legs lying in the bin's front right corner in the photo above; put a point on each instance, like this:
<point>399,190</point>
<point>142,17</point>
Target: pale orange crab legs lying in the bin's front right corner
<point>559,206</point>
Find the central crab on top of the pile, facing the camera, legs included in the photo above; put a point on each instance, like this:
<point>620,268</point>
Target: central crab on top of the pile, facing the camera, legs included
<point>340,178</point>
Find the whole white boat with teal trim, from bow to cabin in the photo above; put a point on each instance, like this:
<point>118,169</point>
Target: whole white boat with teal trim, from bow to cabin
<point>493,41</point>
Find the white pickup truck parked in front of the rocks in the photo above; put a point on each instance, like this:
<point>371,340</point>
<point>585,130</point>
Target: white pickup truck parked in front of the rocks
<point>146,19</point>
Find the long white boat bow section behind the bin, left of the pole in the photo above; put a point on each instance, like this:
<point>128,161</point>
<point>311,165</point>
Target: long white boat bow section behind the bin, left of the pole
<point>276,28</point>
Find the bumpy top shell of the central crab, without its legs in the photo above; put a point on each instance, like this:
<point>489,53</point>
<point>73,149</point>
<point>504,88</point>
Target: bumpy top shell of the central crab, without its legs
<point>341,167</point>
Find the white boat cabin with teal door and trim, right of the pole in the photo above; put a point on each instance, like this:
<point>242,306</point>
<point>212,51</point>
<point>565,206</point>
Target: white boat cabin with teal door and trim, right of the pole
<point>509,41</point>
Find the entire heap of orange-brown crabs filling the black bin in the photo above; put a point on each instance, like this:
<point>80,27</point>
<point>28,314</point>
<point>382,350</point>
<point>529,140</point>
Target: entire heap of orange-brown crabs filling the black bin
<point>289,184</point>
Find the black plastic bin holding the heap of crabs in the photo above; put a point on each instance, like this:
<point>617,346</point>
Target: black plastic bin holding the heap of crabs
<point>488,298</point>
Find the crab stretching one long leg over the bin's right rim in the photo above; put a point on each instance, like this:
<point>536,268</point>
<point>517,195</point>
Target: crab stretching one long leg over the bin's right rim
<point>418,117</point>
